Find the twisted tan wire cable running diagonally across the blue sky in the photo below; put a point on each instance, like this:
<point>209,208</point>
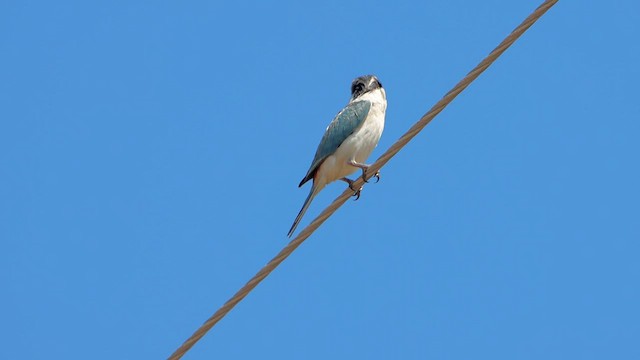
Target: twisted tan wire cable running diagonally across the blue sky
<point>382,160</point>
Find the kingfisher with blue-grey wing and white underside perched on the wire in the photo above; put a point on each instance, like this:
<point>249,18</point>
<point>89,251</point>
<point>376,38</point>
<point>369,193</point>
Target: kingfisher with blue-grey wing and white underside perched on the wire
<point>348,140</point>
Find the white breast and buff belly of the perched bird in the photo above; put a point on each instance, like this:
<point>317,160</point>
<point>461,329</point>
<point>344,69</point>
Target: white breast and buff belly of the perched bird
<point>359,145</point>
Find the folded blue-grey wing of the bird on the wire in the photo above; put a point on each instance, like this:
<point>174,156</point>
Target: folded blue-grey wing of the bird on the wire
<point>344,124</point>
